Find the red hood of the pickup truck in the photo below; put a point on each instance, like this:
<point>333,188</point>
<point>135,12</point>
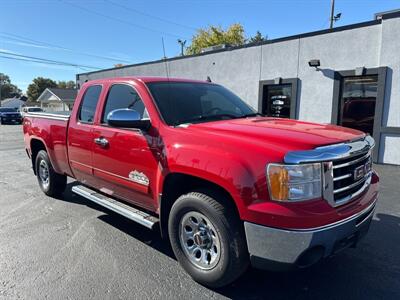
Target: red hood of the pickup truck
<point>285,134</point>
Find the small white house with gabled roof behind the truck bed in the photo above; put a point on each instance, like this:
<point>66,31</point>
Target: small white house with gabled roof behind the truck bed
<point>56,99</point>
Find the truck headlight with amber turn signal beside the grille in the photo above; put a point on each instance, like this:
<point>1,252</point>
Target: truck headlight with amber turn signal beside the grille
<point>294,182</point>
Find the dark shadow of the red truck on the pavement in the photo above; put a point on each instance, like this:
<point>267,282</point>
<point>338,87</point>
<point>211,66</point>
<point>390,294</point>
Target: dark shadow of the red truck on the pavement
<point>372,270</point>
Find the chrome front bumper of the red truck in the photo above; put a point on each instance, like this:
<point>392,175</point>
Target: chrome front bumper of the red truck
<point>279,249</point>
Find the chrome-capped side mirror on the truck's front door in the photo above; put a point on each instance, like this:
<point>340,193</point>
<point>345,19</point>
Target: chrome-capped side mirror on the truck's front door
<point>127,118</point>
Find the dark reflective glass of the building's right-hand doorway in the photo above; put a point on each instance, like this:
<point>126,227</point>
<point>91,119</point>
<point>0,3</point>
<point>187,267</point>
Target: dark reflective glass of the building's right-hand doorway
<point>357,103</point>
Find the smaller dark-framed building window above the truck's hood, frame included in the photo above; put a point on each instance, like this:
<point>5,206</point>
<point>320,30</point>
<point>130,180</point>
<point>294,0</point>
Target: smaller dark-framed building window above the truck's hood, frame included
<point>278,98</point>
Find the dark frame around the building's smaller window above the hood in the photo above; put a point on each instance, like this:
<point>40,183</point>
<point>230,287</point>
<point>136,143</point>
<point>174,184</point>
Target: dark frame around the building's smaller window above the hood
<point>293,101</point>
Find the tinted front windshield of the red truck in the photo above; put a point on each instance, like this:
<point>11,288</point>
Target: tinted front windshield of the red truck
<point>188,102</point>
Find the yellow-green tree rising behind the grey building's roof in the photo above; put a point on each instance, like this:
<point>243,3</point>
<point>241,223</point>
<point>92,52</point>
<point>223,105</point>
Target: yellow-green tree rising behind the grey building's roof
<point>216,35</point>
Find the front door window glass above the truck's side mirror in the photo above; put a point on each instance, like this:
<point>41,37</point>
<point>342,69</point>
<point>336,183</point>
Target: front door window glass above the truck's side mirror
<point>123,96</point>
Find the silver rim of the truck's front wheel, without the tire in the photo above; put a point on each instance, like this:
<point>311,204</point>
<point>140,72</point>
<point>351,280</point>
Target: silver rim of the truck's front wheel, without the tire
<point>200,241</point>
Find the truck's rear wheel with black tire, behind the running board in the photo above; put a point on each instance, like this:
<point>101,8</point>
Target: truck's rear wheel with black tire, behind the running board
<point>50,182</point>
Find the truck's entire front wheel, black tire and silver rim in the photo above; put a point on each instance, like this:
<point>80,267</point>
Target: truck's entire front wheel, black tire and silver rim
<point>207,238</point>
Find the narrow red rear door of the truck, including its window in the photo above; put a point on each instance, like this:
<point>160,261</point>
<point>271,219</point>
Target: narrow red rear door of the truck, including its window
<point>80,135</point>
